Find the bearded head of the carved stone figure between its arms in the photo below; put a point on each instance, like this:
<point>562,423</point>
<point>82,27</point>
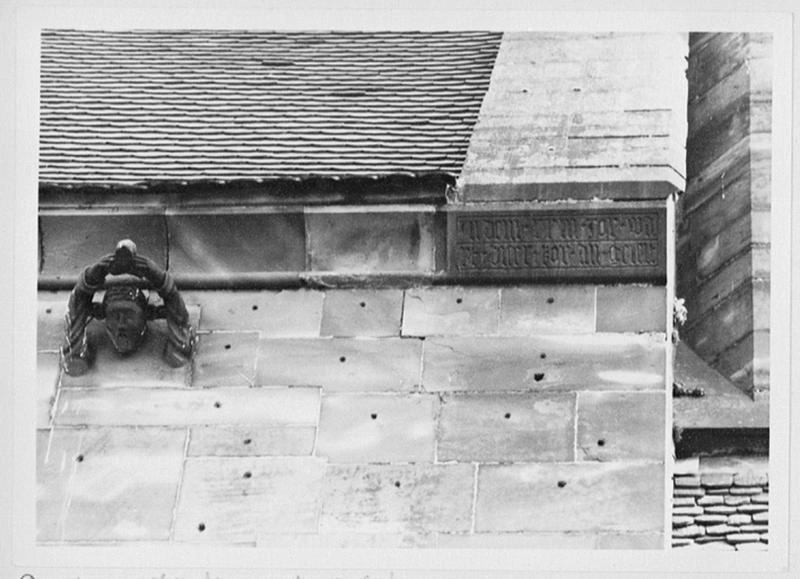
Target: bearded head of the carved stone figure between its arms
<point>126,317</point>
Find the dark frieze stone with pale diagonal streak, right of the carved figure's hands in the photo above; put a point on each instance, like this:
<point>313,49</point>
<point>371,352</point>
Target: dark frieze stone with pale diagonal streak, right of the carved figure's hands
<point>225,242</point>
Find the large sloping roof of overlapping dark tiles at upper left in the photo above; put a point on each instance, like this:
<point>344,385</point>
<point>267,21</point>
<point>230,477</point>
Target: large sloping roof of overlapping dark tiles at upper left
<point>121,107</point>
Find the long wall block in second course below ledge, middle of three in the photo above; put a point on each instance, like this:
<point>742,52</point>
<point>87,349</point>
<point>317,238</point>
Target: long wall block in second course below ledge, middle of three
<point>341,364</point>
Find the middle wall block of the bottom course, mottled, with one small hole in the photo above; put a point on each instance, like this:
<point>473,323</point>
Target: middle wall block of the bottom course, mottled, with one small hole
<point>414,498</point>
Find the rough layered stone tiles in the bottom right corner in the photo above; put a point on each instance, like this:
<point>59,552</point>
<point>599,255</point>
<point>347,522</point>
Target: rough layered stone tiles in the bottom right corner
<point>721,503</point>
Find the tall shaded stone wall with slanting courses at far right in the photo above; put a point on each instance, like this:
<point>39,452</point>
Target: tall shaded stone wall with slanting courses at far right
<point>723,235</point>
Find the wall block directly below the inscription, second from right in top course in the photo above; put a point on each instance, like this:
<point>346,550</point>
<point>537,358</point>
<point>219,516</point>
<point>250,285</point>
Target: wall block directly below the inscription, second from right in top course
<point>529,311</point>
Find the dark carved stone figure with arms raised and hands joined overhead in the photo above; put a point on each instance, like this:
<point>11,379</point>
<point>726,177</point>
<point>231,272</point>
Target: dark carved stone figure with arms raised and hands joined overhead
<point>126,310</point>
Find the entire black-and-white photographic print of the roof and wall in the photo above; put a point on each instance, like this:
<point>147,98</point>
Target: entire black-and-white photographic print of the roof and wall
<point>423,289</point>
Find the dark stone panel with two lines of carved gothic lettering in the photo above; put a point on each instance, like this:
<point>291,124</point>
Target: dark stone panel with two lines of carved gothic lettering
<point>628,244</point>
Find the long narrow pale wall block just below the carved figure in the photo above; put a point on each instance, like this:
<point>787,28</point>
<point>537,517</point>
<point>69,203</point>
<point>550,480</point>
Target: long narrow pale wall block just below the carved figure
<point>188,406</point>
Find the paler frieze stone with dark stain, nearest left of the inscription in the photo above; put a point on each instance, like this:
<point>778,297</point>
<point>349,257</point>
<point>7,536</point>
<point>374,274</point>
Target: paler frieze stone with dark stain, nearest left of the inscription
<point>371,241</point>
